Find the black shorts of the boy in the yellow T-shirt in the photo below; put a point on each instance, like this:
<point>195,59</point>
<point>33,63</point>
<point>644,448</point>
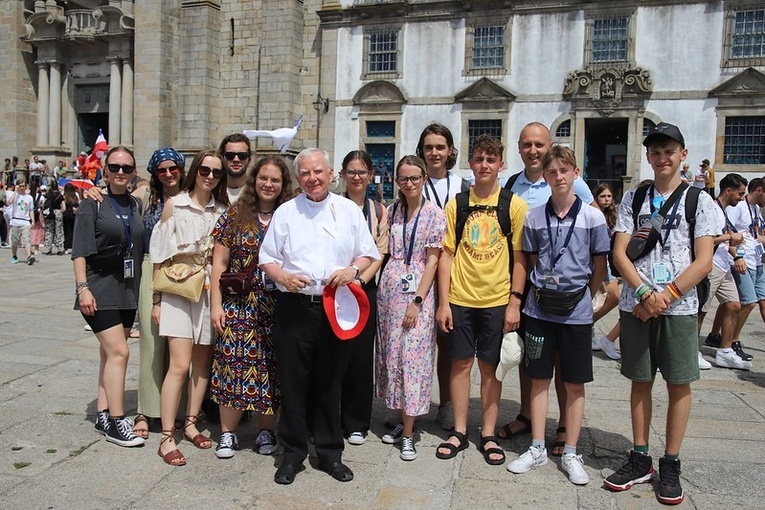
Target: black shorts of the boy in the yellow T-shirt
<point>477,332</point>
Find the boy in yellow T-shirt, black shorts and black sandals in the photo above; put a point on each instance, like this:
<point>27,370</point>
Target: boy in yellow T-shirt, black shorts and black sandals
<point>478,299</point>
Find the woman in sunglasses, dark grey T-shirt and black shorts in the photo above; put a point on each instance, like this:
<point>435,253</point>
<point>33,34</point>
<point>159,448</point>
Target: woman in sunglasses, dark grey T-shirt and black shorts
<point>107,252</point>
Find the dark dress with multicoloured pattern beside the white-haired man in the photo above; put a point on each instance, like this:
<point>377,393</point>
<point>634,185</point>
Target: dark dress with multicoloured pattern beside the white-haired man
<point>244,370</point>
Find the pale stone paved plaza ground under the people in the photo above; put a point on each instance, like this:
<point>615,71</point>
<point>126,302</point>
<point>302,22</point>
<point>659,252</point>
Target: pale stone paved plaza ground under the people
<point>50,456</point>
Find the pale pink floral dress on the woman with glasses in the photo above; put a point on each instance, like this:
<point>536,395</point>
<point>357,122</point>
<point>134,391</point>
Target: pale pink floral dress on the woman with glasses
<point>404,359</point>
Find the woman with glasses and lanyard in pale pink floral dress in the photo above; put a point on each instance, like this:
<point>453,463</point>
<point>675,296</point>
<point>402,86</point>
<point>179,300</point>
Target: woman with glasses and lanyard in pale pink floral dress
<point>406,331</point>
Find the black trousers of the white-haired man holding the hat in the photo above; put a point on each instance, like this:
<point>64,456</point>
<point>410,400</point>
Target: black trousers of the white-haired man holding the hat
<point>312,363</point>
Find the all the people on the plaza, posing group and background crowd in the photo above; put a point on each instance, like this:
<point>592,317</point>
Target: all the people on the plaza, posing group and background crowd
<point>446,271</point>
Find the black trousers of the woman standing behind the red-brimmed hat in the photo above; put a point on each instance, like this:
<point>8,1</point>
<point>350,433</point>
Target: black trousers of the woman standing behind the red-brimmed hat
<point>358,384</point>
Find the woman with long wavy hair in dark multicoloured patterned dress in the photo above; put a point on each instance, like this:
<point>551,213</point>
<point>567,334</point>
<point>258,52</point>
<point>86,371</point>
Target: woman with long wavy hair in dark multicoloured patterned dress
<point>244,373</point>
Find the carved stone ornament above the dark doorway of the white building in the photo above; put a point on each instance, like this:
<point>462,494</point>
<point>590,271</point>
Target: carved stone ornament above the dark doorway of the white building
<point>607,89</point>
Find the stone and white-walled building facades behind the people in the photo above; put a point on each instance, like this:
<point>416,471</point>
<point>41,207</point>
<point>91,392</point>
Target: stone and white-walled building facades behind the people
<point>372,74</point>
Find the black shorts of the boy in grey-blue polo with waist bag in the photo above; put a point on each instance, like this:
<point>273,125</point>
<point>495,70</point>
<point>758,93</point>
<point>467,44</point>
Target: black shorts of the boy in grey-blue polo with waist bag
<point>572,341</point>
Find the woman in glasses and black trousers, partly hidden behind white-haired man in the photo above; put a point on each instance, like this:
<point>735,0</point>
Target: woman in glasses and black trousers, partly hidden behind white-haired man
<point>358,384</point>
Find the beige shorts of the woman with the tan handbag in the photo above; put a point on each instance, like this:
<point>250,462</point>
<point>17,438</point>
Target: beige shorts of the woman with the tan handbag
<point>180,318</point>
